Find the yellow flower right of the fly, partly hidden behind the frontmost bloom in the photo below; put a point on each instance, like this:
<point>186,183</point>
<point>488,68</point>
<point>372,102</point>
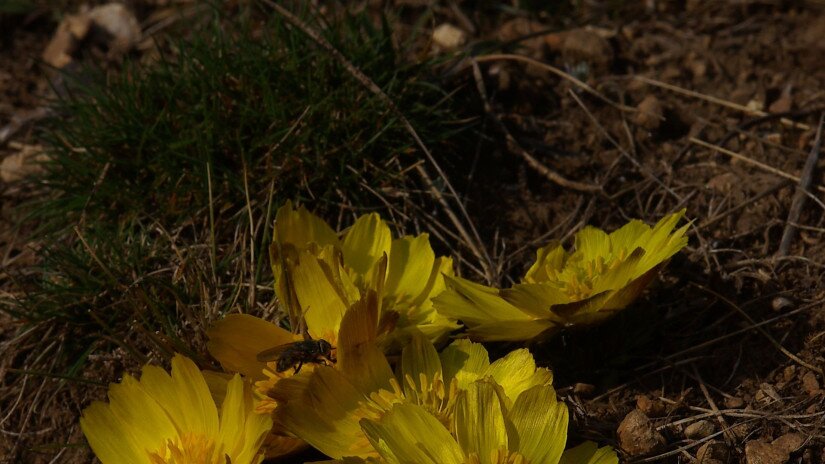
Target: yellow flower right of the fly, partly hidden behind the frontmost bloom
<point>326,410</point>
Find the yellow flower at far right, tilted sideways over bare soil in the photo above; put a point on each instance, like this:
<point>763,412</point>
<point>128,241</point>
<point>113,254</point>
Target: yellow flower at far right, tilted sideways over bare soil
<point>604,274</point>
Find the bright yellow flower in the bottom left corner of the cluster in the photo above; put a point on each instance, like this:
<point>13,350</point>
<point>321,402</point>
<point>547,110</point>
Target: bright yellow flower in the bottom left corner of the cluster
<point>163,419</point>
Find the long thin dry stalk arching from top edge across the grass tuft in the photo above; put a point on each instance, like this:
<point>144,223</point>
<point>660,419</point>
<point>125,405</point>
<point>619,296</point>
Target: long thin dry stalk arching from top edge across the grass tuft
<point>473,242</point>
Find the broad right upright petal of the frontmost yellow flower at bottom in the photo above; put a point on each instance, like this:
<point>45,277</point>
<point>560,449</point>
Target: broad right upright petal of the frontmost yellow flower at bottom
<point>540,422</point>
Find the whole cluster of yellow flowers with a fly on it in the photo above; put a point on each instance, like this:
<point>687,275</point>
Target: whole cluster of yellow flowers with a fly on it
<point>363,375</point>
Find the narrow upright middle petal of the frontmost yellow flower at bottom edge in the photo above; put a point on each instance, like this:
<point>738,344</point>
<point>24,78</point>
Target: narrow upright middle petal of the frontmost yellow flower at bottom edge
<point>479,421</point>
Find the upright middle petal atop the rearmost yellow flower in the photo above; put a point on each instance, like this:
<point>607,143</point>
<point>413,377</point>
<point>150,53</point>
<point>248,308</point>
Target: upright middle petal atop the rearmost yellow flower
<point>365,243</point>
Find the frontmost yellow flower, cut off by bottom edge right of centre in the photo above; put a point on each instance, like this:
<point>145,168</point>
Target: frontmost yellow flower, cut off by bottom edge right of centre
<point>485,430</point>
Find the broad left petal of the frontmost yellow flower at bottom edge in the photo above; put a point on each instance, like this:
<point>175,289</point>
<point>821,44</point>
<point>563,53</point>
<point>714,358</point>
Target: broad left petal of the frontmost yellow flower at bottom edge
<point>409,434</point>
